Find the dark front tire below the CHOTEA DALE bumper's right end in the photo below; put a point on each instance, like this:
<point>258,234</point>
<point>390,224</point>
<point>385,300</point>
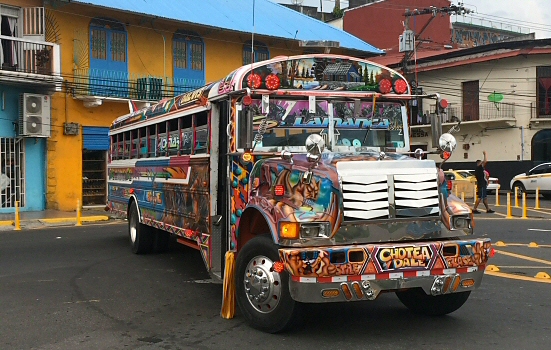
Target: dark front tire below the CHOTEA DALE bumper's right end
<point>419,302</point>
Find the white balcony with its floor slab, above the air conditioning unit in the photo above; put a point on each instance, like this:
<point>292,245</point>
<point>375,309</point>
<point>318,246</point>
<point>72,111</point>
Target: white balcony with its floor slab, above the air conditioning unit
<point>30,62</point>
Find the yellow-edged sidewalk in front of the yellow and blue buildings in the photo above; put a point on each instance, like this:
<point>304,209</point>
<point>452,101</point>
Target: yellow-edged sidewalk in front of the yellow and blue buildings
<point>50,217</point>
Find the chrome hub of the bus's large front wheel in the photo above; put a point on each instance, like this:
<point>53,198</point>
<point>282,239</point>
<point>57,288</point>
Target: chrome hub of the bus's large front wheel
<point>262,284</point>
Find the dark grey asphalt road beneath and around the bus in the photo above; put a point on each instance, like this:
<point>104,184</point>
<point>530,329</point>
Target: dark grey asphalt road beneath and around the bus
<point>82,288</point>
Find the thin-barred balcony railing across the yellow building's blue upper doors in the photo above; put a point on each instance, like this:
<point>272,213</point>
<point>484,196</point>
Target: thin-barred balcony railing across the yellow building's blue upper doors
<point>124,85</point>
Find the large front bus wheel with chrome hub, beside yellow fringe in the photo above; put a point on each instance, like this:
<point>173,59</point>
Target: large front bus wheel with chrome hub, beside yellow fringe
<point>262,294</point>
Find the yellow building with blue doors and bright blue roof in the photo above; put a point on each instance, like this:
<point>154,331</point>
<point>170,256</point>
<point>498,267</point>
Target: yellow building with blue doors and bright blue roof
<point>111,59</point>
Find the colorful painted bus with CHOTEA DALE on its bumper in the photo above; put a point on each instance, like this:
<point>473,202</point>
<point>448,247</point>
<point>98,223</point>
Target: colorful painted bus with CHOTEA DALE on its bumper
<point>300,169</point>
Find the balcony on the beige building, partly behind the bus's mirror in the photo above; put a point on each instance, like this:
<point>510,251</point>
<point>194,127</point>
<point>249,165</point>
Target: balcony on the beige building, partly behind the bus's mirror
<point>488,115</point>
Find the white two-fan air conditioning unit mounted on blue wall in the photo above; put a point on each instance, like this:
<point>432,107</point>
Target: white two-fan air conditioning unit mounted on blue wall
<point>34,115</point>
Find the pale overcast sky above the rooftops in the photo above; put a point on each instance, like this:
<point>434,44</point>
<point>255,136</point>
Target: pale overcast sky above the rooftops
<point>526,16</point>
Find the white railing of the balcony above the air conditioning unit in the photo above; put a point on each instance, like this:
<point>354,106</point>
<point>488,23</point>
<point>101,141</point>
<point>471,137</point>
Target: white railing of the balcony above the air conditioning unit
<point>27,56</point>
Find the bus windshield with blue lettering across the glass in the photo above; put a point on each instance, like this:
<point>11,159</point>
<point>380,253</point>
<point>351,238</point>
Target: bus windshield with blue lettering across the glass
<point>357,127</point>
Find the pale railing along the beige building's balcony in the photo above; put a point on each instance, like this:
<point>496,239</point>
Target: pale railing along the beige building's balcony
<point>486,112</point>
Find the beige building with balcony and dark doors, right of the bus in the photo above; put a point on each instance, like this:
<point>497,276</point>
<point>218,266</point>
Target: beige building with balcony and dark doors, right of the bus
<point>501,93</point>
